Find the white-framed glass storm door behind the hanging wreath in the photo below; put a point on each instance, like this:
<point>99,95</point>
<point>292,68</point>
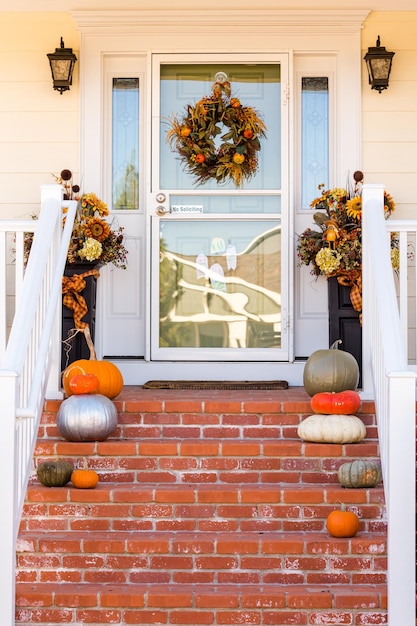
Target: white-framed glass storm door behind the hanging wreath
<point>219,252</point>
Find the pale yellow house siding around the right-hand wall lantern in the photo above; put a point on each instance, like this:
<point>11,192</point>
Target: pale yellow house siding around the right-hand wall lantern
<point>389,119</point>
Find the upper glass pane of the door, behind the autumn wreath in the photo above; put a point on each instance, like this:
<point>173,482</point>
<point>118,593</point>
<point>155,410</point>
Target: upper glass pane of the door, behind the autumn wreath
<point>256,85</point>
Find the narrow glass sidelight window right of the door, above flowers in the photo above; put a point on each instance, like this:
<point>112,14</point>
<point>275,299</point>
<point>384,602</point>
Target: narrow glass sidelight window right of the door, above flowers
<point>314,137</point>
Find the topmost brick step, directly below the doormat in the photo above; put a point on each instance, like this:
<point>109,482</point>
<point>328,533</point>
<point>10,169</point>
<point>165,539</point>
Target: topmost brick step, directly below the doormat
<point>146,414</point>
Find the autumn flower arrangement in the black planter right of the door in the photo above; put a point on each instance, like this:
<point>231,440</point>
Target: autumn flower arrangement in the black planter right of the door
<point>335,247</point>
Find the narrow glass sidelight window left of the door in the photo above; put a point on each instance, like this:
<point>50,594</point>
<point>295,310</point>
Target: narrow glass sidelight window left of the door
<point>125,143</point>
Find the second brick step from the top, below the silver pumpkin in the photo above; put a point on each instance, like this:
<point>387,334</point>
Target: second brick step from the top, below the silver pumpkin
<point>212,461</point>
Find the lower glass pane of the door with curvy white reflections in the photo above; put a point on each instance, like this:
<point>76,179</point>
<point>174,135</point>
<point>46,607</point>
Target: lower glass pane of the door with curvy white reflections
<point>220,284</point>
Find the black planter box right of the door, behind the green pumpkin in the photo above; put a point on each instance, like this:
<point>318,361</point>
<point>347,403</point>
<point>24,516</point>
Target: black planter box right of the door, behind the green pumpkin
<point>344,321</point>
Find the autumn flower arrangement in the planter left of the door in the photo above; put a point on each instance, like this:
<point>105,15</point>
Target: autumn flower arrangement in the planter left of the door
<point>92,237</point>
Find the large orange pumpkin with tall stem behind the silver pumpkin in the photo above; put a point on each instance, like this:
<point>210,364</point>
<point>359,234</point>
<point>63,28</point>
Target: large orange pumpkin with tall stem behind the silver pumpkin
<point>109,376</point>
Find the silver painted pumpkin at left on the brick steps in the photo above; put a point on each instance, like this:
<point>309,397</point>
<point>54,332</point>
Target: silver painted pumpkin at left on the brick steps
<point>87,417</point>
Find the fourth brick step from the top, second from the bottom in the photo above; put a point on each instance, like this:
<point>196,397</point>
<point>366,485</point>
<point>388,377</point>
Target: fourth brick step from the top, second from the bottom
<point>218,558</point>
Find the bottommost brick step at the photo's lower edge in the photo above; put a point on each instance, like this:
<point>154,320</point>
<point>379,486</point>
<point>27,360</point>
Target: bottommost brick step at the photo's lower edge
<point>199,604</point>
